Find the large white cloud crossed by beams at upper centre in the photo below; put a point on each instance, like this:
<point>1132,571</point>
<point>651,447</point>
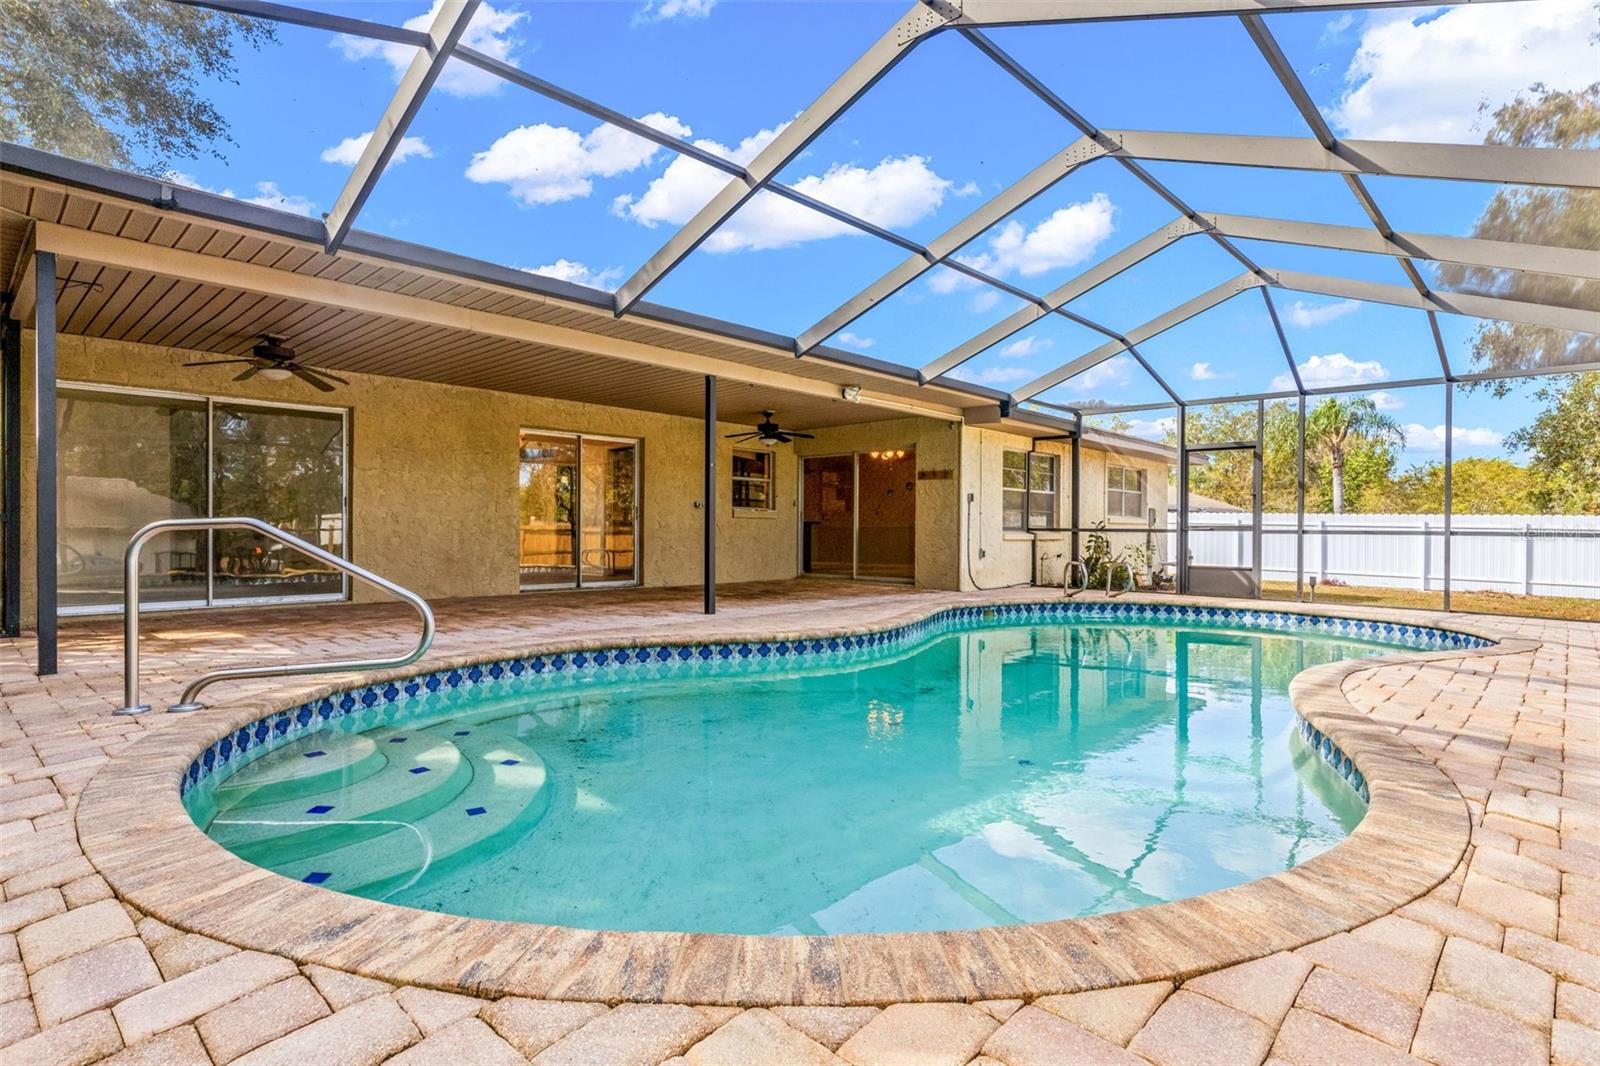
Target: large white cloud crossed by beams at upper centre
<point>895,193</point>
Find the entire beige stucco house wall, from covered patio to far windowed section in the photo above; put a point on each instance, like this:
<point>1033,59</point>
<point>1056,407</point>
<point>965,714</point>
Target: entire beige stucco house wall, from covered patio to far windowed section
<point>433,481</point>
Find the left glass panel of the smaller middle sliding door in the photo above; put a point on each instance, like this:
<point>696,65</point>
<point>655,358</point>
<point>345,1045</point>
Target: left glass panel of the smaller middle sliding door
<point>546,478</point>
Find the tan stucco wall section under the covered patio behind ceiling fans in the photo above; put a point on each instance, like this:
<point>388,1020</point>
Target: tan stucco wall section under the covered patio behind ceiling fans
<point>434,473</point>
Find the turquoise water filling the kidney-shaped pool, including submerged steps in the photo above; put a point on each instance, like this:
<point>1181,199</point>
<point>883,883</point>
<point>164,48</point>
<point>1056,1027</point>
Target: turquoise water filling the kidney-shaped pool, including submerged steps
<point>985,777</point>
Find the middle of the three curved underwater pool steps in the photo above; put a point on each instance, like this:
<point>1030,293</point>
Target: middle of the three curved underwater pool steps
<point>422,774</point>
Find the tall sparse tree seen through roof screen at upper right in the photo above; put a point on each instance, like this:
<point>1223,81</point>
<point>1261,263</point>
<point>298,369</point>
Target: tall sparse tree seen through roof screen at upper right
<point>1545,217</point>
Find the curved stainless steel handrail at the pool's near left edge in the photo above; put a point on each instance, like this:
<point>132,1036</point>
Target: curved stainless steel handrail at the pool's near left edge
<point>130,617</point>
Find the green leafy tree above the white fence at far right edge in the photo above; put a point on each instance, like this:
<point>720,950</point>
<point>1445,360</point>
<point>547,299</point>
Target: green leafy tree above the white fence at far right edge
<point>1566,446</point>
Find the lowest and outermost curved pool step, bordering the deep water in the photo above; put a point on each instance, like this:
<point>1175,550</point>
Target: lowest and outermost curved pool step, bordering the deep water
<point>508,793</point>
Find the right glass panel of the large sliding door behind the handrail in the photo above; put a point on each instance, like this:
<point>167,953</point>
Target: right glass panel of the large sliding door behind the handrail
<point>286,468</point>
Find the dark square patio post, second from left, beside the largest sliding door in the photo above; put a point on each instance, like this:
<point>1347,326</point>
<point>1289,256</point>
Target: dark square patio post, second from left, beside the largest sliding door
<point>46,459</point>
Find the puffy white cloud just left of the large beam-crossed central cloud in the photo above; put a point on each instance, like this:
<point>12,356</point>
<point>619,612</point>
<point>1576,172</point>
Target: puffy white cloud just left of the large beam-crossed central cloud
<point>546,164</point>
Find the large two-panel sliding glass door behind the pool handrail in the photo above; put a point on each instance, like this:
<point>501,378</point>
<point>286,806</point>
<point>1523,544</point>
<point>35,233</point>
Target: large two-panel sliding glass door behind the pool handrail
<point>132,459</point>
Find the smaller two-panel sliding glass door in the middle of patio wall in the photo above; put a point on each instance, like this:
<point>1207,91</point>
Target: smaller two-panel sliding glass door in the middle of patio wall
<point>578,511</point>
